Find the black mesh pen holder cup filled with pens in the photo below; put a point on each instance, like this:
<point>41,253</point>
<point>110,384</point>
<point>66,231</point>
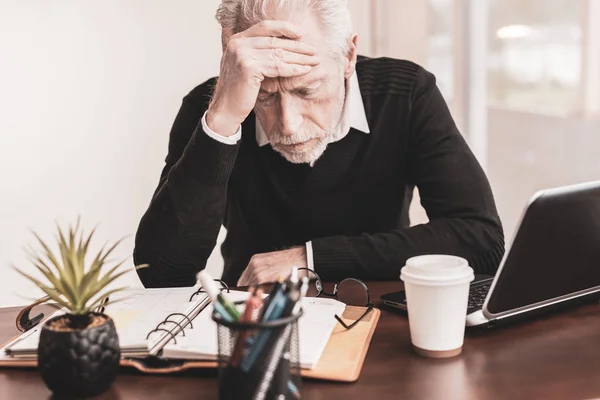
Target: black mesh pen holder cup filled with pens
<point>258,360</point>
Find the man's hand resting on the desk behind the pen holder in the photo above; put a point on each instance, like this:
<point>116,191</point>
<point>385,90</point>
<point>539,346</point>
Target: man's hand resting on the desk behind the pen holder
<point>269,267</point>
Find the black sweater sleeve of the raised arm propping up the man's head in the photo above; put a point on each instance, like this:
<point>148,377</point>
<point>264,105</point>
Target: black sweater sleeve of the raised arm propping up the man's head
<point>179,230</point>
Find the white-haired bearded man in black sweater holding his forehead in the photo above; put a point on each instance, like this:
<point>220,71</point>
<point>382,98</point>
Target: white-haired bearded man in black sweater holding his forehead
<point>308,155</point>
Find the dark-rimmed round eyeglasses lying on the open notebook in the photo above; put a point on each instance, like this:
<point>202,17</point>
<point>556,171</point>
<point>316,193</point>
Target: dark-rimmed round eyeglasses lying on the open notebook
<point>350,291</point>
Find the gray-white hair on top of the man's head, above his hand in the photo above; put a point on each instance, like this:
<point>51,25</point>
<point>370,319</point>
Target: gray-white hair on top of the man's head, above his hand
<point>333,15</point>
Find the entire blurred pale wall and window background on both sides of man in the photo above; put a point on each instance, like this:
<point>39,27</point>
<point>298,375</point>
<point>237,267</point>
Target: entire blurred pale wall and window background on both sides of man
<point>89,90</point>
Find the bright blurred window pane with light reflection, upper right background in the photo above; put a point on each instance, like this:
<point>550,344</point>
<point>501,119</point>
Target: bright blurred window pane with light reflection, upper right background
<point>534,55</point>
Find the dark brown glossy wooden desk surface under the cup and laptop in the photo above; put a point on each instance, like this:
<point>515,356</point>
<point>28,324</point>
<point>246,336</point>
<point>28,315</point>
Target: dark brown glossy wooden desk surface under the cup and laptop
<point>556,357</point>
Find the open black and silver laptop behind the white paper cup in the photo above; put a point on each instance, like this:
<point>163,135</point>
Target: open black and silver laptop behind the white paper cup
<point>552,263</point>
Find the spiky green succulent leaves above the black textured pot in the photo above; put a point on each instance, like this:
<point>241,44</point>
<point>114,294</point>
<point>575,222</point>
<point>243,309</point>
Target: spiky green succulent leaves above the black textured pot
<point>69,283</point>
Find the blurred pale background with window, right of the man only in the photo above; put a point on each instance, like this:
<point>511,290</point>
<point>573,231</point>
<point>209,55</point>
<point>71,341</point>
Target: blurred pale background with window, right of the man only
<point>522,78</point>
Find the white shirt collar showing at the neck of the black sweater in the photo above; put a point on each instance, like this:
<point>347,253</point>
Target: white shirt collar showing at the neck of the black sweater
<point>353,115</point>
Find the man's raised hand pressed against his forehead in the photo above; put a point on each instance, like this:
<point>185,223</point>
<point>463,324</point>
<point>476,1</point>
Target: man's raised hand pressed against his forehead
<point>269,49</point>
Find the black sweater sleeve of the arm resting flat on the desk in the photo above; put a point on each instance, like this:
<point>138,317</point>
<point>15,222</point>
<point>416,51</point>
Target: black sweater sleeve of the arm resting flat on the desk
<point>454,192</point>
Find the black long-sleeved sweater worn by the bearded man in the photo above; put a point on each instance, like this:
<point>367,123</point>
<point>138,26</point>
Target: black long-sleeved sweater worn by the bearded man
<point>353,204</point>
